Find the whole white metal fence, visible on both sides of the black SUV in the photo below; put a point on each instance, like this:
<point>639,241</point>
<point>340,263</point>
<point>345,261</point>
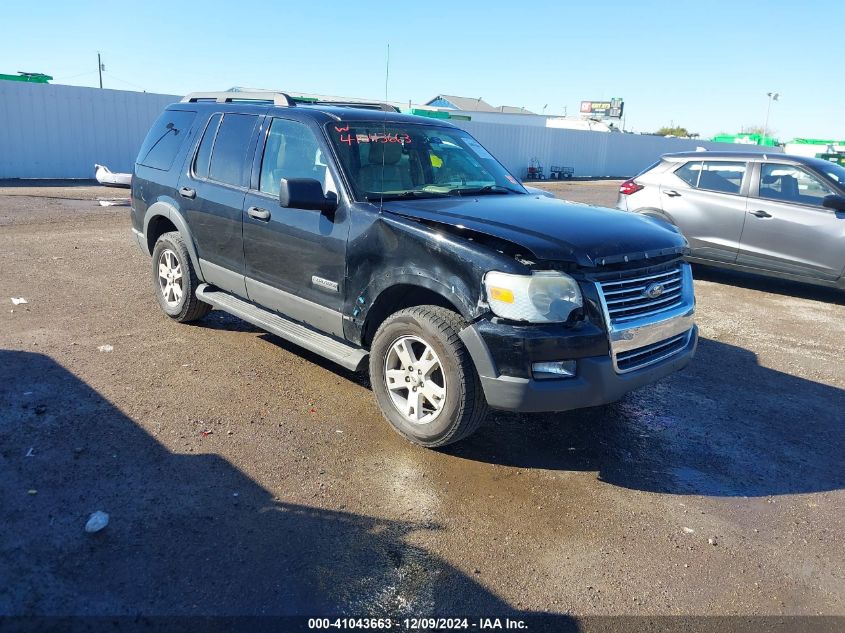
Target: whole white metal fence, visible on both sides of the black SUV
<point>53,131</point>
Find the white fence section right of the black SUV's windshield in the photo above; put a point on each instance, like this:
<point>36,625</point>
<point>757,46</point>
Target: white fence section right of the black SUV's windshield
<point>589,153</point>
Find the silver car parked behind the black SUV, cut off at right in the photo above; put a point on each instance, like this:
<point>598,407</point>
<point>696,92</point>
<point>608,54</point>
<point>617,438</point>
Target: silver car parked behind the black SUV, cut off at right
<point>772,214</point>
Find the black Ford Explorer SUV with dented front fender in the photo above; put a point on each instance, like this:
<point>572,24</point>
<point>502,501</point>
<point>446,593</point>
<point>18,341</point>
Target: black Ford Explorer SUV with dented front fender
<point>376,238</point>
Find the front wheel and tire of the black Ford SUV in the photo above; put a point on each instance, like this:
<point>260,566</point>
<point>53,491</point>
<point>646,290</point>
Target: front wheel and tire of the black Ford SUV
<point>423,377</point>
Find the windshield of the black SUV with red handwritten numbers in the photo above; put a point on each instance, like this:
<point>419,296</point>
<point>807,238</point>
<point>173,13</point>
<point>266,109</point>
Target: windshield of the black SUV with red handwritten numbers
<point>416,161</point>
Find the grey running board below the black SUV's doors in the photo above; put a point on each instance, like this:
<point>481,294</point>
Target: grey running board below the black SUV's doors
<point>328,347</point>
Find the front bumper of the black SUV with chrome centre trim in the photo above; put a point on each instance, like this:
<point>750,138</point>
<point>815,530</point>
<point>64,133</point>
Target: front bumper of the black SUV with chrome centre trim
<point>611,360</point>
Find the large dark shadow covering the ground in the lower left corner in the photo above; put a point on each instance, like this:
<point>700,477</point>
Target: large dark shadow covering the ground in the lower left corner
<point>188,533</point>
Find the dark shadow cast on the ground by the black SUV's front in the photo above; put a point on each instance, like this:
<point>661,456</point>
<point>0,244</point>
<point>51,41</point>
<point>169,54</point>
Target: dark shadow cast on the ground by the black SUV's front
<point>724,426</point>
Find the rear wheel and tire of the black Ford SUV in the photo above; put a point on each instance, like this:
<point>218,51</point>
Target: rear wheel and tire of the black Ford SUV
<point>175,280</point>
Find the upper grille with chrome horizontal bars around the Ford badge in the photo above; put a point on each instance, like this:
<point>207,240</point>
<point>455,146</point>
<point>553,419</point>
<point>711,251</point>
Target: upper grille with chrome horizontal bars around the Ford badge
<point>626,299</point>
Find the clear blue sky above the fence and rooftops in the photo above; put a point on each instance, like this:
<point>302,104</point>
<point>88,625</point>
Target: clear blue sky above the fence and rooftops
<point>706,65</point>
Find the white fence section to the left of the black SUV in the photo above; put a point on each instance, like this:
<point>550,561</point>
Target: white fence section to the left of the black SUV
<point>52,131</point>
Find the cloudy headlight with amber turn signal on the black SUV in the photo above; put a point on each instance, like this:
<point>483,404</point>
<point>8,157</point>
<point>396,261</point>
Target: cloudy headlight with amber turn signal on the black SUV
<point>543,297</point>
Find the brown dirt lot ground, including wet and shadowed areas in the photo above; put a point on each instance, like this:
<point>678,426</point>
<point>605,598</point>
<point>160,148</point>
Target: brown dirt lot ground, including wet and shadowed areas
<point>245,476</point>
